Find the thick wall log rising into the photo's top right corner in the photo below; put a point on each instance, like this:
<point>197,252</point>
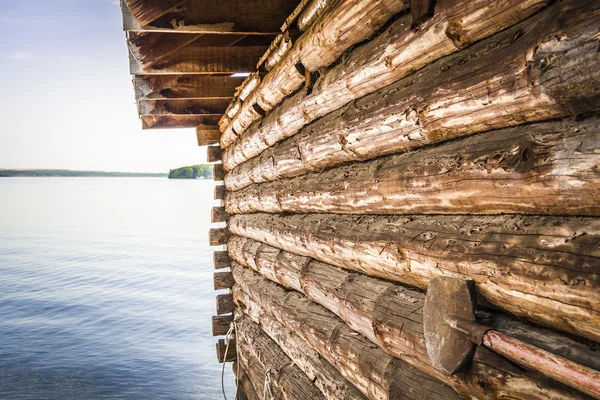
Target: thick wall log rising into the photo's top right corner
<point>509,90</point>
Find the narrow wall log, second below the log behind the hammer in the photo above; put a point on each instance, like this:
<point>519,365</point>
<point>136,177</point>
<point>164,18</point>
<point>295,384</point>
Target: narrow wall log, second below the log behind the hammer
<point>324,375</point>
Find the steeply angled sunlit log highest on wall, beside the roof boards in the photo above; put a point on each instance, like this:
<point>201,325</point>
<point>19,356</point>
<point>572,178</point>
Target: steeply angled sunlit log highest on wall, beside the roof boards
<point>343,24</point>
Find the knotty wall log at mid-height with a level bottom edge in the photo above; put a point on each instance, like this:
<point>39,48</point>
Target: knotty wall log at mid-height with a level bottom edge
<point>547,168</point>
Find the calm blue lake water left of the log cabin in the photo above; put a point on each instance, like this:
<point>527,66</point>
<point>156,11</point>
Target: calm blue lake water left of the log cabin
<point>106,289</point>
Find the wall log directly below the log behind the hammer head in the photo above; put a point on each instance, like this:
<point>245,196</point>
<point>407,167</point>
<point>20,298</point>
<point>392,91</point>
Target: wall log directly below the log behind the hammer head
<point>375,373</point>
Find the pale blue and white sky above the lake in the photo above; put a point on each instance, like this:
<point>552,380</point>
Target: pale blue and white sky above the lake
<point>67,100</point>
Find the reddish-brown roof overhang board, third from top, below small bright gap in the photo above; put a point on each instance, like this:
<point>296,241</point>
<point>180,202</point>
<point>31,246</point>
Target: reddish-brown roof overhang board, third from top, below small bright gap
<point>163,87</point>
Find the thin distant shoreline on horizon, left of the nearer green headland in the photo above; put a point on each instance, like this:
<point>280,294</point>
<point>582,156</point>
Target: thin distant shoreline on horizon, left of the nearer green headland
<point>66,173</point>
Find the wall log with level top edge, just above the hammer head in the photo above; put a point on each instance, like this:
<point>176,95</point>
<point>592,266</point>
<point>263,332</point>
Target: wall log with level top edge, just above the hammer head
<point>545,269</point>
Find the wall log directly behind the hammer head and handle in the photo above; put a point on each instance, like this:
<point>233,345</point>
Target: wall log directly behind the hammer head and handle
<point>391,316</point>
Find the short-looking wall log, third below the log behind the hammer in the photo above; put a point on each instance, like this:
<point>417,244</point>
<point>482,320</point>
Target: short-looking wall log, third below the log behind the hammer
<point>291,380</point>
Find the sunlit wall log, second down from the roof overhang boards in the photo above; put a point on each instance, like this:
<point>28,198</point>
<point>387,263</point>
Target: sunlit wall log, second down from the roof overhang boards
<point>389,57</point>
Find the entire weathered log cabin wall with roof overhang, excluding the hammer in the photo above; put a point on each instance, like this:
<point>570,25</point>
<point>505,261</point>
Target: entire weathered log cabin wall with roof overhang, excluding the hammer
<point>373,147</point>
